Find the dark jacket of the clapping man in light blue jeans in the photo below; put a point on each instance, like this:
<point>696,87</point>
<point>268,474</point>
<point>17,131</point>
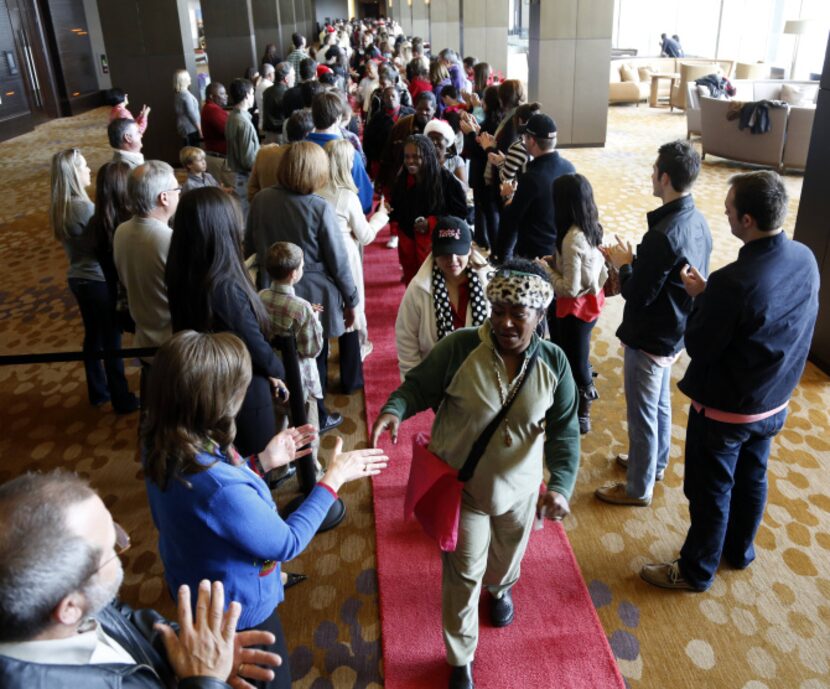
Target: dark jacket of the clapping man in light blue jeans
<point>656,303</point>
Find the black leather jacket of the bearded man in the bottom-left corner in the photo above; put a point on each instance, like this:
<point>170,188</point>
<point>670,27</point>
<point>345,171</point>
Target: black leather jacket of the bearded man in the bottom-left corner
<point>133,630</point>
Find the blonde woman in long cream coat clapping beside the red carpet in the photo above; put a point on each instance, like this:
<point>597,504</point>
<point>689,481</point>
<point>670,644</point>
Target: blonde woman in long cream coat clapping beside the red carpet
<point>357,231</point>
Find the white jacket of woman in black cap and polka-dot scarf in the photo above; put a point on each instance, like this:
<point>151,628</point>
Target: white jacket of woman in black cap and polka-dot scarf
<point>416,331</point>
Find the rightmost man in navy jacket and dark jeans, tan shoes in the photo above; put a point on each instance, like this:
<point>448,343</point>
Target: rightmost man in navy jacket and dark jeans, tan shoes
<point>748,337</point>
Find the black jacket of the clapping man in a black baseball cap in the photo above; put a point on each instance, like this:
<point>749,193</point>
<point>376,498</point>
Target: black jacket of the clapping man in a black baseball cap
<point>527,228</point>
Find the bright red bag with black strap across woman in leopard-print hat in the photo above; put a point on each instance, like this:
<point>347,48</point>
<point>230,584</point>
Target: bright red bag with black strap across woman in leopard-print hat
<point>433,493</point>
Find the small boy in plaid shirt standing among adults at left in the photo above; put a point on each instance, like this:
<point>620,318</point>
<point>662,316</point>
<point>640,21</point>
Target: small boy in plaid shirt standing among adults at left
<point>293,315</point>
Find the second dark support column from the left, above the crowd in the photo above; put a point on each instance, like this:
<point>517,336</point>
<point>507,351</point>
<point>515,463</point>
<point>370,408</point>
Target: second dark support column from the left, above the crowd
<point>229,35</point>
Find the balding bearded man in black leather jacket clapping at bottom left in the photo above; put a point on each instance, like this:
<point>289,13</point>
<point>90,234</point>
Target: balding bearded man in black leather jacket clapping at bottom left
<point>60,625</point>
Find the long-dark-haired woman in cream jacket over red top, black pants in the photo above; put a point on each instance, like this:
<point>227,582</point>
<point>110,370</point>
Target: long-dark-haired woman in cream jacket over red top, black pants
<point>578,273</point>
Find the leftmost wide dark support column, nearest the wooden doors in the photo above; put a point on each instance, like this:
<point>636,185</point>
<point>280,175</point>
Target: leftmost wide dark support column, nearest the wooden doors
<point>147,41</point>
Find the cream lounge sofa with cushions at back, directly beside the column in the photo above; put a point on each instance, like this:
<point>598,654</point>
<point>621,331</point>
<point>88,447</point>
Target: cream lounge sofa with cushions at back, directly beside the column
<point>630,77</point>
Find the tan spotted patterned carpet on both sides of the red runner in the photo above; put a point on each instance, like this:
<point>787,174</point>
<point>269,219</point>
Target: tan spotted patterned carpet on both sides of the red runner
<point>766,627</point>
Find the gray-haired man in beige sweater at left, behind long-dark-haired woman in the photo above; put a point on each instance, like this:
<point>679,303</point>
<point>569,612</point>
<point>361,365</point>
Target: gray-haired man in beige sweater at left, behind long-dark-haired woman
<point>140,247</point>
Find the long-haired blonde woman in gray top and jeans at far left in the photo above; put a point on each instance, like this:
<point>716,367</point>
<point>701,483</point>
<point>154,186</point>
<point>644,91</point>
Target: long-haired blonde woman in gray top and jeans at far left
<point>70,213</point>
